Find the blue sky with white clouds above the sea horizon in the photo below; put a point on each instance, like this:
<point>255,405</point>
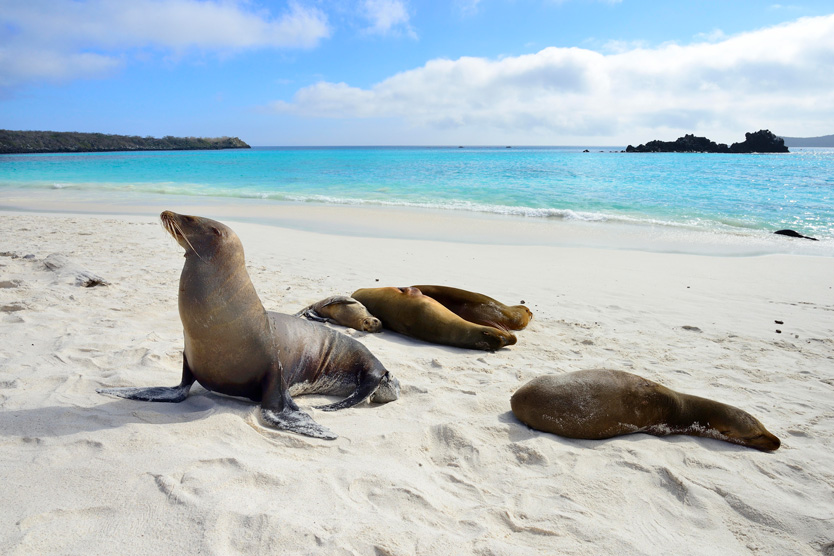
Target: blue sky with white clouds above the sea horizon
<point>409,72</point>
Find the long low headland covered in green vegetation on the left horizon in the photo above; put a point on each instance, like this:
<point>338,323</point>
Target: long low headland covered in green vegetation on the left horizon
<point>20,142</point>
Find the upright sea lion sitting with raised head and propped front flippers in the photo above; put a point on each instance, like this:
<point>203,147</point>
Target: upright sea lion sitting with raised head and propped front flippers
<point>234,346</point>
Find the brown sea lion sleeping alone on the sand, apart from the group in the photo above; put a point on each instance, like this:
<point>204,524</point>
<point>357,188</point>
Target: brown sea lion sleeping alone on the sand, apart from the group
<point>599,404</point>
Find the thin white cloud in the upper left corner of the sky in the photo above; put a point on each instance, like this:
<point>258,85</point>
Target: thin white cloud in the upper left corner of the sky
<point>47,40</point>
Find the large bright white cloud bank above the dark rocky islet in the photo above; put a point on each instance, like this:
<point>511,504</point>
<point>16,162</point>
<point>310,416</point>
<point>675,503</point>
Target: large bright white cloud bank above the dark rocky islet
<point>779,77</point>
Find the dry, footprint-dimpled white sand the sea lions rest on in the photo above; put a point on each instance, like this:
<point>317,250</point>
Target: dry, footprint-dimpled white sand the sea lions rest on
<point>445,469</point>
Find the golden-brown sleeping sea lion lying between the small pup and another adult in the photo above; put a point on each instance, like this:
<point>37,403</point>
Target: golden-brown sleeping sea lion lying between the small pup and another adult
<point>409,312</point>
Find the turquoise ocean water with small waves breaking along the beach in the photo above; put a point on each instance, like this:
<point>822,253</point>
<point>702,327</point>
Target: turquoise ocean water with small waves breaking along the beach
<point>723,193</point>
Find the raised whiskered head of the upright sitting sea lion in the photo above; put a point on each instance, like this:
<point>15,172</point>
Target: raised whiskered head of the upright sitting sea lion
<point>201,237</point>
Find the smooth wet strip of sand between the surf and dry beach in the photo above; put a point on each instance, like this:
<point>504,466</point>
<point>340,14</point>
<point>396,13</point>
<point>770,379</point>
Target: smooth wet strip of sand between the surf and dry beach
<point>400,222</point>
